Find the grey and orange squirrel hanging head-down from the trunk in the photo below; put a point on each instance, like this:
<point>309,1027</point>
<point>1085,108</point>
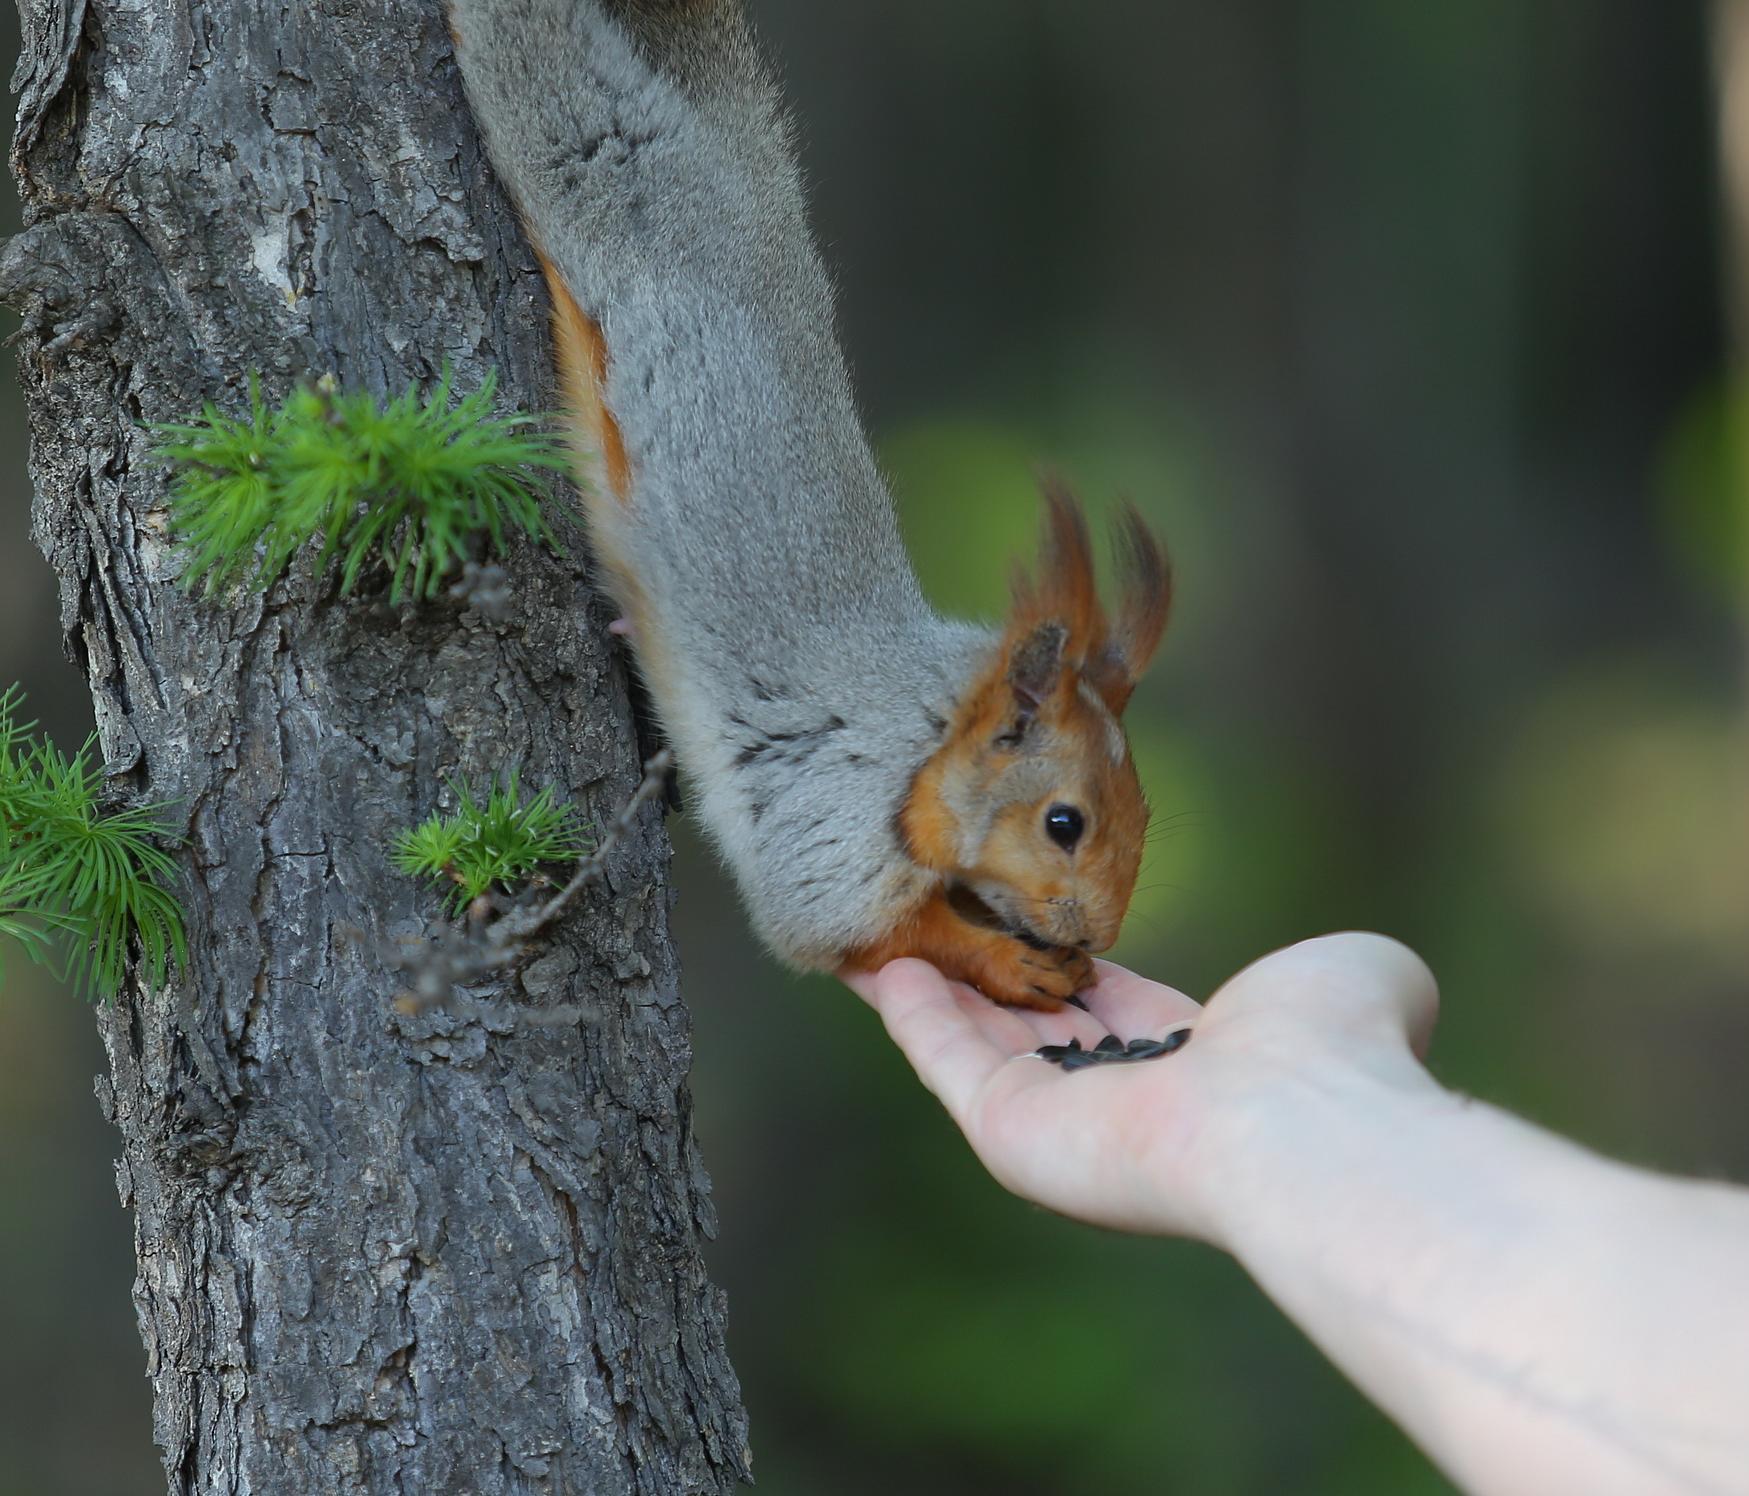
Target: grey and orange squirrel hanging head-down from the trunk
<point>879,779</point>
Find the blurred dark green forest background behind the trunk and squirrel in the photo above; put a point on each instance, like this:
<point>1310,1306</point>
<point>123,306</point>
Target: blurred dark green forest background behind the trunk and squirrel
<point>1409,328</point>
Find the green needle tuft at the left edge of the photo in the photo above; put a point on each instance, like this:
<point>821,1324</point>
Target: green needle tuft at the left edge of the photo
<point>80,886</point>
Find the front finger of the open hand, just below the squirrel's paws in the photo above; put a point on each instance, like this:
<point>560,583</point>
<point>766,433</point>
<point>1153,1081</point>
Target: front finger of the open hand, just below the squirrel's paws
<point>954,1038</point>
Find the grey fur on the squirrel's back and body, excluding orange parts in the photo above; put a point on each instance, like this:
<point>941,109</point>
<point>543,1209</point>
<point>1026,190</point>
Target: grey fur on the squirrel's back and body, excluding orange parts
<point>807,680</point>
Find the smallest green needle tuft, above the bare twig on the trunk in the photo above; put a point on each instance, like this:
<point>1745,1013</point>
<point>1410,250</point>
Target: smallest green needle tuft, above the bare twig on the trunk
<point>491,846</point>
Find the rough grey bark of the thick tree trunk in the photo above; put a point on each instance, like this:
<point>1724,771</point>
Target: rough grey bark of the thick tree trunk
<point>377,1254</point>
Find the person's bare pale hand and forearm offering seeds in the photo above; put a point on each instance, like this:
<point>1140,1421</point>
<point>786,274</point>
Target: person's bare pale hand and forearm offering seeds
<point>1538,1318</point>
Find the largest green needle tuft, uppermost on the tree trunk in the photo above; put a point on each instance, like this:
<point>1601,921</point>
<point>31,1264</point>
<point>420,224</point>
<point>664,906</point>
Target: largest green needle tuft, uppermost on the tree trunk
<point>412,482</point>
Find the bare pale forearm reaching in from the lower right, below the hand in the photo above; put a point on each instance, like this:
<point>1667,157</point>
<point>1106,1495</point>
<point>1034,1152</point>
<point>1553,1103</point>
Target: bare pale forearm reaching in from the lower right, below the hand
<point>1536,1318</point>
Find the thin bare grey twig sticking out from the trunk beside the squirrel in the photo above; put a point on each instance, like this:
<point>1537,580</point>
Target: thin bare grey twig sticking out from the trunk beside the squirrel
<point>463,954</point>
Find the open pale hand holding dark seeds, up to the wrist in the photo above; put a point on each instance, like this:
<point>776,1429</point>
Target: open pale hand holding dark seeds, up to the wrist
<point>1153,1147</point>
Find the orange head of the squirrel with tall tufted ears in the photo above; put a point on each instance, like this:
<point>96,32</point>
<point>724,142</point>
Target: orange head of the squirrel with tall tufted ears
<point>1031,811</point>
